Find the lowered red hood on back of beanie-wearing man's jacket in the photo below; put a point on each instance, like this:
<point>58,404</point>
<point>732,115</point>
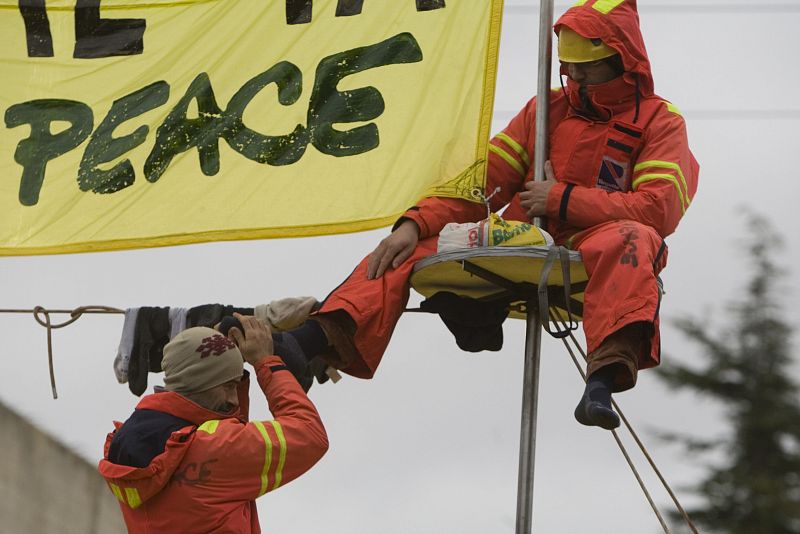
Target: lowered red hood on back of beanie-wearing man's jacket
<point>150,480</point>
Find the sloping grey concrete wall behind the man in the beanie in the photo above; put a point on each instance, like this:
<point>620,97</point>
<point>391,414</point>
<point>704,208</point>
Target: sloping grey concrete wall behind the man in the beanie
<point>46,488</point>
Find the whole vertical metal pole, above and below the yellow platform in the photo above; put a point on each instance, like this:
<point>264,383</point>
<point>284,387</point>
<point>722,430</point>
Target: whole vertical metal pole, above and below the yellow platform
<point>533,333</point>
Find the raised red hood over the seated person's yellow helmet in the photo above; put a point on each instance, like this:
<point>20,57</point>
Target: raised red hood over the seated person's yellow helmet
<point>616,23</point>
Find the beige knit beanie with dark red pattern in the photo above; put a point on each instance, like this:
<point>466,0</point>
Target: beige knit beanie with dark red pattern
<point>198,359</point>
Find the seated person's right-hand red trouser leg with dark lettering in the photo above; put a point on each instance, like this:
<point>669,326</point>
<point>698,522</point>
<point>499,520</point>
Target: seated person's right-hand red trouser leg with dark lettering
<point>622,289</point>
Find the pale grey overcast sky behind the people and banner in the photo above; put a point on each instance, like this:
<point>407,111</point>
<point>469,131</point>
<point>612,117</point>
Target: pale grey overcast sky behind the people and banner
<point>431,444</point>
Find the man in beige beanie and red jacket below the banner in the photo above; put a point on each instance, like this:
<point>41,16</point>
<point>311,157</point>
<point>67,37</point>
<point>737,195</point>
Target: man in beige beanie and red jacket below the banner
<point>188,459</point>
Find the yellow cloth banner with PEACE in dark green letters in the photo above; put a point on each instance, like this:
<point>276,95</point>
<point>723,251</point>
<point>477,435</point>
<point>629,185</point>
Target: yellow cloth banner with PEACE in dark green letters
<point>140,123</point>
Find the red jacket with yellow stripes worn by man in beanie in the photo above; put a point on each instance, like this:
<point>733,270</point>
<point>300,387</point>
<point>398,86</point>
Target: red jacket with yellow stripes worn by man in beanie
<point>190,469</point>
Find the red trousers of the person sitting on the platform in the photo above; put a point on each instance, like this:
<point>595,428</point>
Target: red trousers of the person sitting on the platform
<point>622,259</point>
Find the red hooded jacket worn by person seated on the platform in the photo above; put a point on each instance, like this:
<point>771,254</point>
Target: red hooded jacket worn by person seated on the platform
<point>633,163</point>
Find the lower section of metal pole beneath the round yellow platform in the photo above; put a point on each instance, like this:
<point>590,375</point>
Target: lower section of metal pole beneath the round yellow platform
<point>530,394</point>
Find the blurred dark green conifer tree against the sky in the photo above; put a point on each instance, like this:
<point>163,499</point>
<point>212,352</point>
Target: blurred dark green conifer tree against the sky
<point>747,366</point>
